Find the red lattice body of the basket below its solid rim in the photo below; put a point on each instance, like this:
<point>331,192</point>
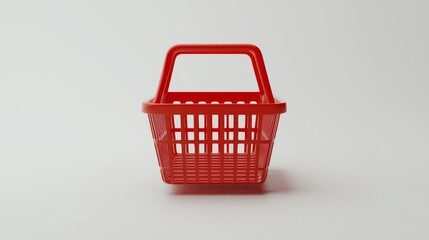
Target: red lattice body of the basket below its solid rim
<point>214,148</point>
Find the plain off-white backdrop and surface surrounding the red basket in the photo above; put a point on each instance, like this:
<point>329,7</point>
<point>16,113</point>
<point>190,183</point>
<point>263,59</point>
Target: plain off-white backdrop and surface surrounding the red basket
<point>351,157</point>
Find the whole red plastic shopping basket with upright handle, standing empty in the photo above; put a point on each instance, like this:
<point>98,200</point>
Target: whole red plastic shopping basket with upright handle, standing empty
<point>214,137</point>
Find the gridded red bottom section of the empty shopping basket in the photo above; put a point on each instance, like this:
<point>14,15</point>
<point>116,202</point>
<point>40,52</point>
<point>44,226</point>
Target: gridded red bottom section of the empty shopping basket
<point>216,169</point>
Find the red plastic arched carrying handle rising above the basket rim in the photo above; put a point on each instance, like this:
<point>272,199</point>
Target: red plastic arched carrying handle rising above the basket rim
<point>251,50</point>
